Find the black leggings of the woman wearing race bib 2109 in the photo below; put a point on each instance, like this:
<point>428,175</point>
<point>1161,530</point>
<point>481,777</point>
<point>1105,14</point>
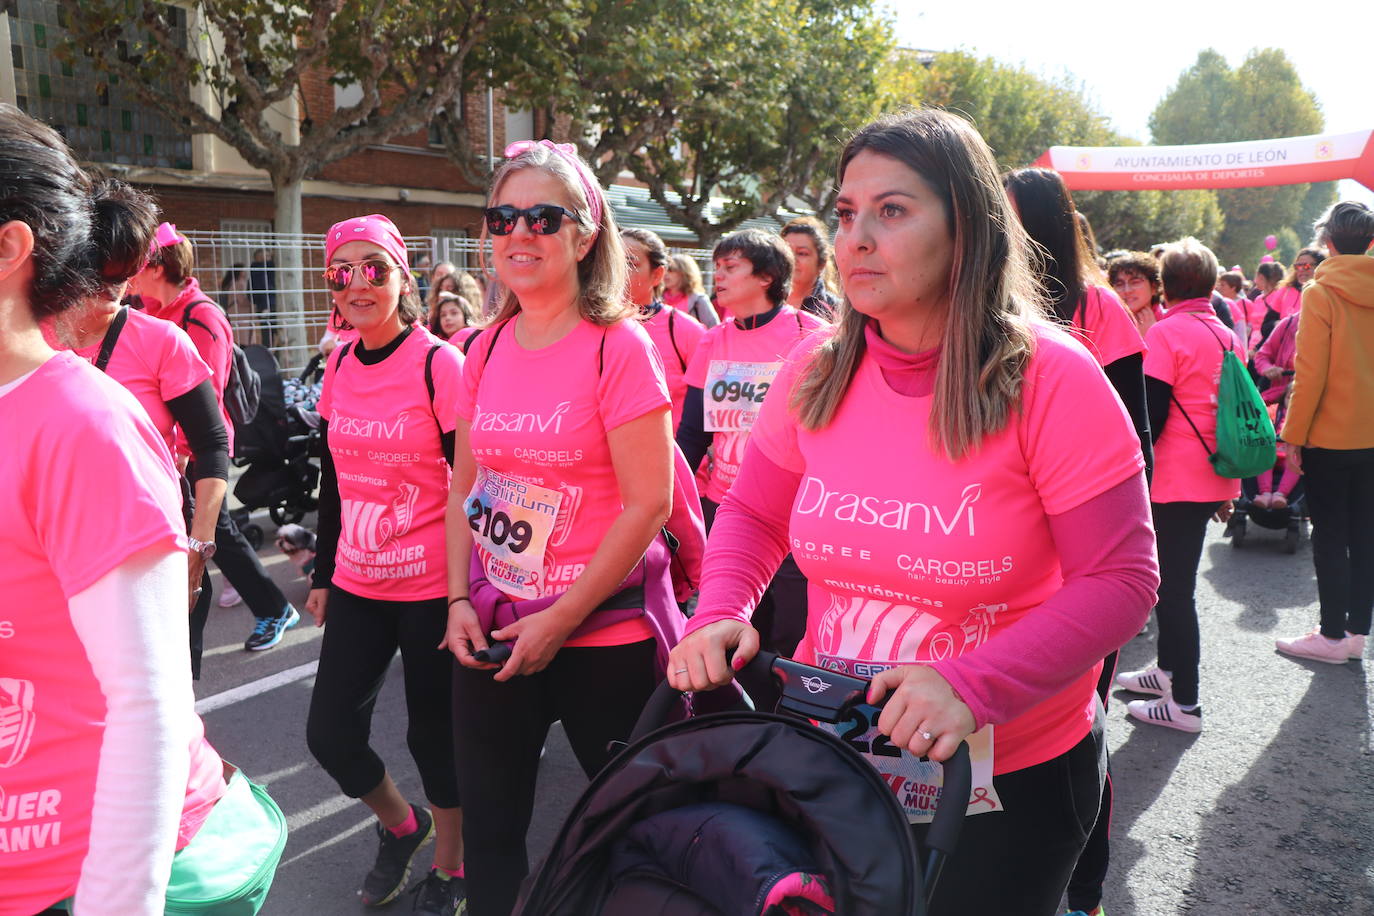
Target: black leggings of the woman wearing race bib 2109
<point>501,729</point>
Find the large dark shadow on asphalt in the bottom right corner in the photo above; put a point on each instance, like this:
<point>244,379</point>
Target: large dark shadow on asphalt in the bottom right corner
<point>1296,833</point>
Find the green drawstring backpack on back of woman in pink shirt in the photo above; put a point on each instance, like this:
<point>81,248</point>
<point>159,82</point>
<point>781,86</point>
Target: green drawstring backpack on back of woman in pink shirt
<point>1246,442</point>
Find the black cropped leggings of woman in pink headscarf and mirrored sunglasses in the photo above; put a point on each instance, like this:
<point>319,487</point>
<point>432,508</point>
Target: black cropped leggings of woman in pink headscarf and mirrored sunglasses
<point>361,639</point>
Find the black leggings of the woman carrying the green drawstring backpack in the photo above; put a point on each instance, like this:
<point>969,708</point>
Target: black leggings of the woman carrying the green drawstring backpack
<point>1180,531</point>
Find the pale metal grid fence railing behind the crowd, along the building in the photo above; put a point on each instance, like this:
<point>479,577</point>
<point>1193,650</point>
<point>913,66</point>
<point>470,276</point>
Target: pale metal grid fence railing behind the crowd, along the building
<point>241,271</point>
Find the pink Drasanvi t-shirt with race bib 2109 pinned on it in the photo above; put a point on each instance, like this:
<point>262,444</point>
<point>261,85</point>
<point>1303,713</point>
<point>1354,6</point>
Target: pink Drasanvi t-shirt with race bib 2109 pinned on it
<point>546,491</point>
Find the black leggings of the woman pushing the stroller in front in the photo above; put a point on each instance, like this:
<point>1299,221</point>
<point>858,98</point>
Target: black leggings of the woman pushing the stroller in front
<point>1017,862</point>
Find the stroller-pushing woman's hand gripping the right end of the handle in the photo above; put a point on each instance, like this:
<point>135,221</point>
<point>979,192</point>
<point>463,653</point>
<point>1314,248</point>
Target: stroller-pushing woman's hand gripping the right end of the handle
<point>923,713</point>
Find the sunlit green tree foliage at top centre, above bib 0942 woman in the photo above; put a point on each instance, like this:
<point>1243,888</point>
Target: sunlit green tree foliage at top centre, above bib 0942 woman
<point>708,100</point>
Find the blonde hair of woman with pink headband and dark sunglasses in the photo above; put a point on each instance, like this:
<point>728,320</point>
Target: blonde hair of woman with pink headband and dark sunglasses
<point>601,275</point>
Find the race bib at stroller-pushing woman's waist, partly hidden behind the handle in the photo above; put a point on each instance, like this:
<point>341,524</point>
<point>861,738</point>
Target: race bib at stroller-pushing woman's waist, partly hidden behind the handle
<point>917,782</point>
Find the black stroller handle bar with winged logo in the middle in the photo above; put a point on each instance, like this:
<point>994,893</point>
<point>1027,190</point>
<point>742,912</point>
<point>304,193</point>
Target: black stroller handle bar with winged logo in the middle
<point>825,696</point>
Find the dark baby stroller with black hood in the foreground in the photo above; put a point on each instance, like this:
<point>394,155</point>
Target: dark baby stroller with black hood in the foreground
<point>723,814</point>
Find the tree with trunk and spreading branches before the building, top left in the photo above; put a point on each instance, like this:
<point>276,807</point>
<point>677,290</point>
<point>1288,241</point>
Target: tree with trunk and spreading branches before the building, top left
<point>243,71</point>
